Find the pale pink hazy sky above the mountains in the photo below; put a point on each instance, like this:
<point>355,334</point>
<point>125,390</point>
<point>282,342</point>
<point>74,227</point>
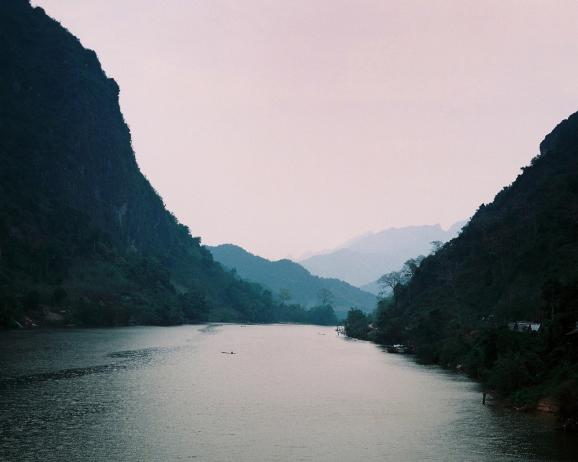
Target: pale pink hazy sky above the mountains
<point>289,126</point>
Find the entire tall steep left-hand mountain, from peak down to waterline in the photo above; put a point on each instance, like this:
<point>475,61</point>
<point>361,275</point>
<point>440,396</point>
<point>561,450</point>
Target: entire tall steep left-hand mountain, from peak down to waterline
<point>82,232</point>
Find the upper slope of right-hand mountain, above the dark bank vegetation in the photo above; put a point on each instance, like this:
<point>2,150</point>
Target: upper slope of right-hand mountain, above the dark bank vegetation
<point>525,238</point>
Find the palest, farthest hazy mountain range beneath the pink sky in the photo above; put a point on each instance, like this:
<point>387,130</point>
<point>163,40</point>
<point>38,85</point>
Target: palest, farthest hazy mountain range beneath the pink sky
<point>362,260</point>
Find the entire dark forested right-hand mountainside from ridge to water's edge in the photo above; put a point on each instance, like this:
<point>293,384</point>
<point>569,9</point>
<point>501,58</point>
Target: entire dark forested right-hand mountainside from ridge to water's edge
<point>516,260</point>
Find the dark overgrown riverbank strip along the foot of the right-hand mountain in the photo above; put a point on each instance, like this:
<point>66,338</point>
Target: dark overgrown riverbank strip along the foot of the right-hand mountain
<point>525,372</point>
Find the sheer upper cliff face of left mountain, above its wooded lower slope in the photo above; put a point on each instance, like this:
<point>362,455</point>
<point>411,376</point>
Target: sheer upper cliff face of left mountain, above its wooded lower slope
<point>62,117</point>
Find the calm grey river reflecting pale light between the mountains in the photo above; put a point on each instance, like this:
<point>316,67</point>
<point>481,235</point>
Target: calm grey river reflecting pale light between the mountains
<point>290,393</point>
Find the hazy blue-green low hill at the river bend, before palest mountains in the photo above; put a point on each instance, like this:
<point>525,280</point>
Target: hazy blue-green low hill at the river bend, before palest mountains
<point>292,279</point>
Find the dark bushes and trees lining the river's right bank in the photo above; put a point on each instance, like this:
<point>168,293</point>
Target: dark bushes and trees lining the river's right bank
<point>521,368</point>
